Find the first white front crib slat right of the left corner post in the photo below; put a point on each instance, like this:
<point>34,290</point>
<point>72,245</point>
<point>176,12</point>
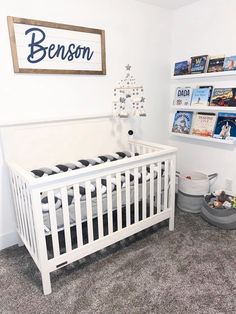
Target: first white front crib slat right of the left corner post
<point>53,223</point>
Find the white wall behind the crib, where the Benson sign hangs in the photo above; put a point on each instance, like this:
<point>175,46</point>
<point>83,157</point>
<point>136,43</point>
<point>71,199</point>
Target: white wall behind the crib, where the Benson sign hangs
<point>136,33</point>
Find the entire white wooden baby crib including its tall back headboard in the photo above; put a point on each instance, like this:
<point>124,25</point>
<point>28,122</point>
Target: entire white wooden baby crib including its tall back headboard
<point>133,207</point>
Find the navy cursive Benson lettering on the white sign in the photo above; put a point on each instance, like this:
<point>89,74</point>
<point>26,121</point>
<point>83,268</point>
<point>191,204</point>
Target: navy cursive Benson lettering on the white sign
<point>38,52</point>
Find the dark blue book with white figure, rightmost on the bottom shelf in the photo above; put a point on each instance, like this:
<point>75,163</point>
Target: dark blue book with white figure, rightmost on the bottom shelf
<point>225,126</point>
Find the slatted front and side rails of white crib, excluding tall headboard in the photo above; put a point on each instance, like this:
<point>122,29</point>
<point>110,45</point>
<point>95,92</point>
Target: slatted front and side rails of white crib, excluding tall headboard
<point>89,209</point>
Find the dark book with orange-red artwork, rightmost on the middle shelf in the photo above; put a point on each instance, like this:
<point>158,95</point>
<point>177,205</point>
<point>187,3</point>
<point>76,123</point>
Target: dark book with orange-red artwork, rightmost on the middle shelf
<point>224,97</point>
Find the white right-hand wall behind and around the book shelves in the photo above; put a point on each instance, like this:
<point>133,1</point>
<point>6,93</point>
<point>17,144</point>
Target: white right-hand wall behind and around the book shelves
<point>206,27</point>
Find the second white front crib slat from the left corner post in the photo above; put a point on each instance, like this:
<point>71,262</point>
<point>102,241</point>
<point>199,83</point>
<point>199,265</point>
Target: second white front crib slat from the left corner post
<point>66,219</point>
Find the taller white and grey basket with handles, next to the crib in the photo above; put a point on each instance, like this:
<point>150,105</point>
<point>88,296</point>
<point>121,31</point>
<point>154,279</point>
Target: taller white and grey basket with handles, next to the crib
<point>192,186</point>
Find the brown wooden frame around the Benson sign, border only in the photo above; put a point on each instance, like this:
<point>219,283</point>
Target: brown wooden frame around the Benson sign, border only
<point>17,69</point>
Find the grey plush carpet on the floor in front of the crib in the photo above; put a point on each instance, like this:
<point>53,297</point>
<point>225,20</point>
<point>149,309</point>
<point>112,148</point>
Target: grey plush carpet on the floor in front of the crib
<point>191,270</point>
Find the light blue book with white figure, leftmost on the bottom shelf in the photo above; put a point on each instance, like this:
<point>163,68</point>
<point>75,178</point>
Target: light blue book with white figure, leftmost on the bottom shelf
<point>182,122</point>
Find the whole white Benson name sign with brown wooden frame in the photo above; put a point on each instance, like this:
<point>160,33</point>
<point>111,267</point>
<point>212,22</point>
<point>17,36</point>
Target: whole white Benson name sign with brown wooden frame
<point>45,47</point>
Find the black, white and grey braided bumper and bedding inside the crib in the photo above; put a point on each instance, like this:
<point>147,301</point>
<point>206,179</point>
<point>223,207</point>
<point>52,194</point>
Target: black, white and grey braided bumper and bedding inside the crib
<point>82,163</point>
